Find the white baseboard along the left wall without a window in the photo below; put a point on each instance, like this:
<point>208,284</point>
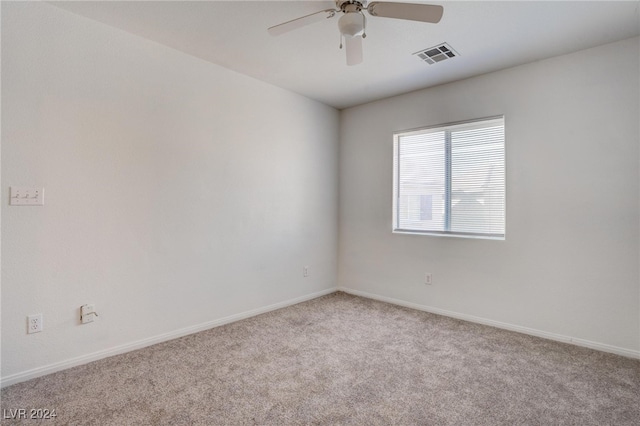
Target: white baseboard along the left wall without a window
<point>84,359</point>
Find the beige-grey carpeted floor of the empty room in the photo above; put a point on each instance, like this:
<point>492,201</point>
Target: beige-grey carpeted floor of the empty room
<point>341,359</point>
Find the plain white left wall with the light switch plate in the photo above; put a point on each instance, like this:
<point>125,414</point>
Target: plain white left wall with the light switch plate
<point>177,192</point>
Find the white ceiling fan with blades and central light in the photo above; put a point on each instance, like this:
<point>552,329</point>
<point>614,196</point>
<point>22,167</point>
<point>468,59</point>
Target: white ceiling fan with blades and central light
<point>352,23</point>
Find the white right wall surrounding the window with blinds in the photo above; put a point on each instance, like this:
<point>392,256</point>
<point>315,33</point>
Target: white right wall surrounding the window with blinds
<point>569,265</point>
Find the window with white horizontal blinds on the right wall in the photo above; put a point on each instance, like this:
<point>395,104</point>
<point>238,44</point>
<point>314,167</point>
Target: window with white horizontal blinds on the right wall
<point>450,180</point>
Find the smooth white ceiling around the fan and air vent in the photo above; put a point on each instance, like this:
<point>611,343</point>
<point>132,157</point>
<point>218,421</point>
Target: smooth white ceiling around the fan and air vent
<point>487,35</point>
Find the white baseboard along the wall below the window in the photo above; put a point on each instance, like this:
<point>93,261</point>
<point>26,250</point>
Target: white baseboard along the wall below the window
<point>630,353</point>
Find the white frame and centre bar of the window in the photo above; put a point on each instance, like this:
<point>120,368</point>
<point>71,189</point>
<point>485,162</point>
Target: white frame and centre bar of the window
<point>446,127</point>
